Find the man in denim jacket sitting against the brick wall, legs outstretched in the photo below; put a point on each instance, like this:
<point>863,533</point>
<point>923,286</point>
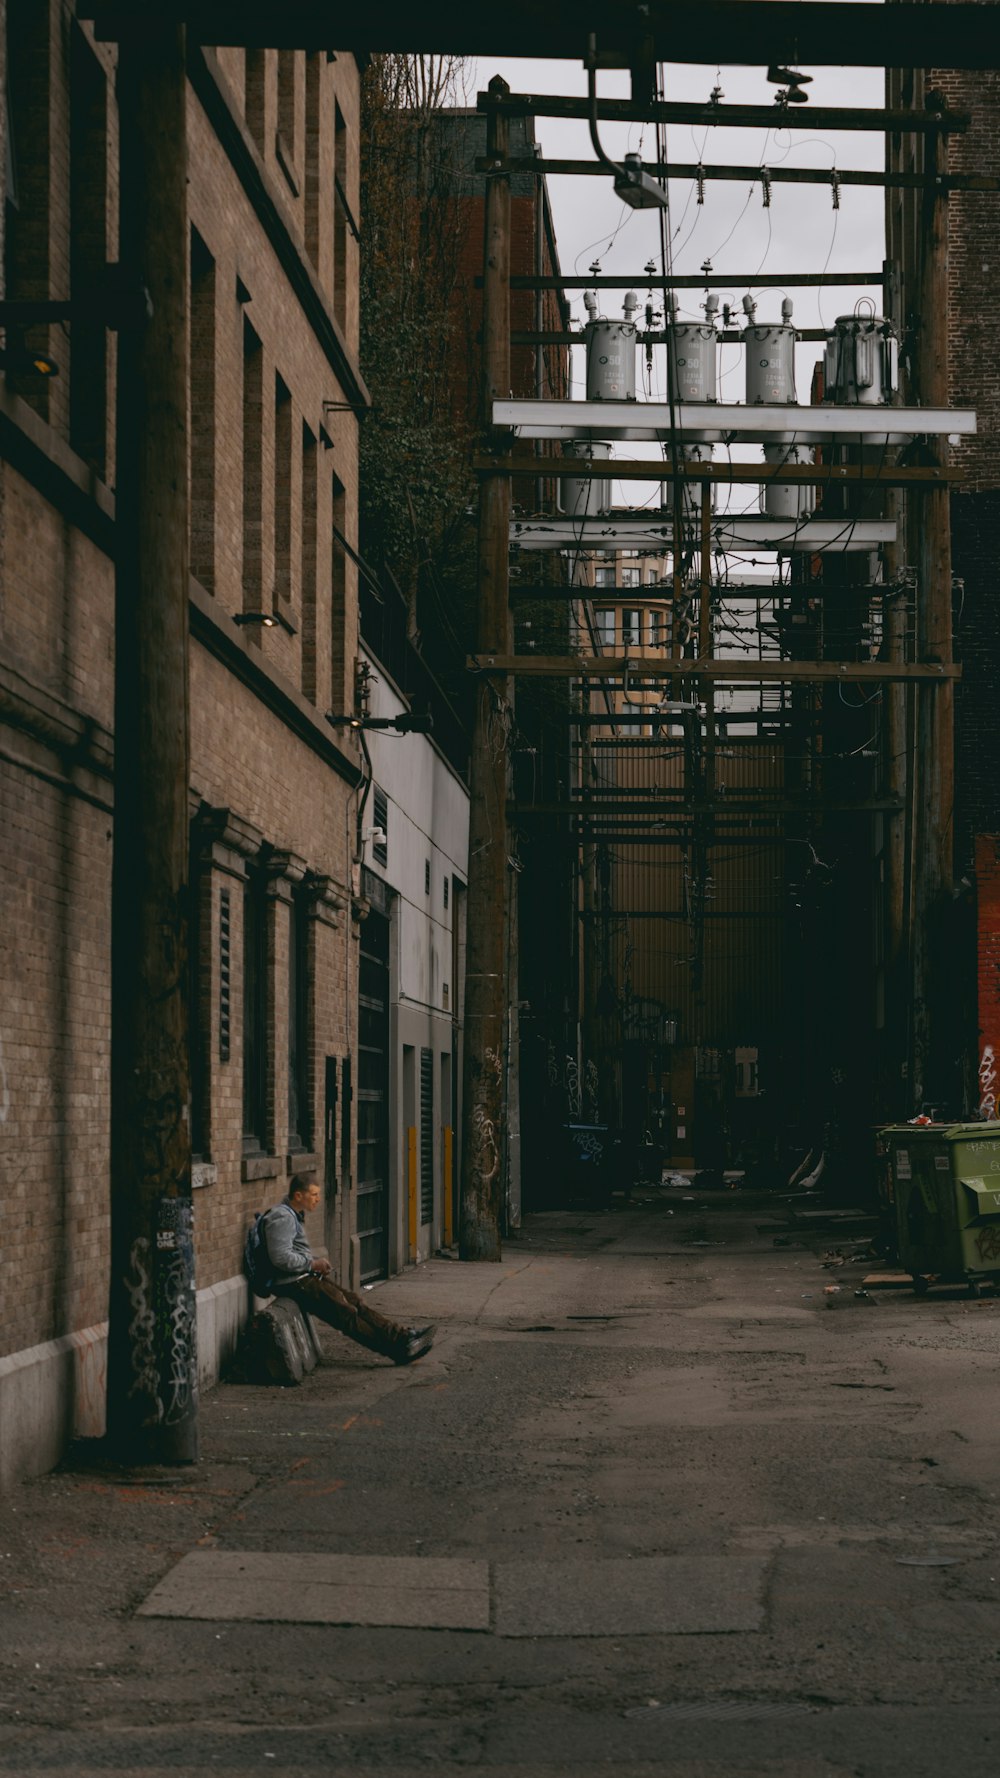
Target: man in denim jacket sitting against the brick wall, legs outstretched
<point>296,1274</point>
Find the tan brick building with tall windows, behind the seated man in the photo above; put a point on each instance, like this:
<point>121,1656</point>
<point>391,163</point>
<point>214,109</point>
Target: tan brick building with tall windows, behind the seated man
<point>277,906</point>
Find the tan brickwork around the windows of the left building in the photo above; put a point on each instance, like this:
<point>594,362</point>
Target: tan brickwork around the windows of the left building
<point>264,792</point>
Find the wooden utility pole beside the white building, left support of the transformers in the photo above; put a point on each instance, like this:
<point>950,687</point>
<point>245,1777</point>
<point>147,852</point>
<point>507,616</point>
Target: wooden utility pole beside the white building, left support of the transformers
<point>487,975</point>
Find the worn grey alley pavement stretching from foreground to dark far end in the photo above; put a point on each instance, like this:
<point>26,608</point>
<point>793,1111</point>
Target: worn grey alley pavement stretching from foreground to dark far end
<point>668,1498</point>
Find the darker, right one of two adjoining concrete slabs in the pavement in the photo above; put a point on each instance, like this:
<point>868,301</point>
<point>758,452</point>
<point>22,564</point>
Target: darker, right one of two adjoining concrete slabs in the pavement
<point>656,1596</point>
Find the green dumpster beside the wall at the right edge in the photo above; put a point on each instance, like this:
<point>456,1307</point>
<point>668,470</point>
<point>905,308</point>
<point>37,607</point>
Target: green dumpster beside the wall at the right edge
<point>946,1181</point>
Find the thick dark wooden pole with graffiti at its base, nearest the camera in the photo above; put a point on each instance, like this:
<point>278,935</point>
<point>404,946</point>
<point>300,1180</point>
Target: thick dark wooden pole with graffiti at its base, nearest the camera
<point>152,1352</point>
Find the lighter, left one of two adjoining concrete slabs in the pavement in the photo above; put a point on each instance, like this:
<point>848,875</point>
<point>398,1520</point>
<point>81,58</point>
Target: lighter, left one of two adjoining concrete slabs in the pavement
<point>405,1592</point>
